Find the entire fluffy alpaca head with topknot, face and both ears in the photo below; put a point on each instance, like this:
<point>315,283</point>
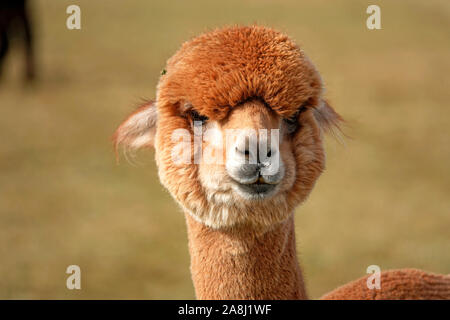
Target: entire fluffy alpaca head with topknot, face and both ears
<point>237,127</point>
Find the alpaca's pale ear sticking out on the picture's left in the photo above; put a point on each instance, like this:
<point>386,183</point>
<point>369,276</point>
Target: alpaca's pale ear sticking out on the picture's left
<point>138,130</point>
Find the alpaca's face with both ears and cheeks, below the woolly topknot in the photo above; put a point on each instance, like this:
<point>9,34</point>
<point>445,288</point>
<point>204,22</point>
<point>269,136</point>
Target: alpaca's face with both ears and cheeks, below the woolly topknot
<point>215,180</point>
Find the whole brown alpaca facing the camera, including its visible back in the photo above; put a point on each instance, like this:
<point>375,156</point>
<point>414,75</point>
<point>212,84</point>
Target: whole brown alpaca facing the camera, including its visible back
<point>240,214</point>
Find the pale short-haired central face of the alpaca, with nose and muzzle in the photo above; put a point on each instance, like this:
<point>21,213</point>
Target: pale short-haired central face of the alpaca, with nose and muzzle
<point>252,158</point>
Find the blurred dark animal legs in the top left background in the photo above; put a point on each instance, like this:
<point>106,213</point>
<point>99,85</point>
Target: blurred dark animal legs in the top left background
<point>15,21</point>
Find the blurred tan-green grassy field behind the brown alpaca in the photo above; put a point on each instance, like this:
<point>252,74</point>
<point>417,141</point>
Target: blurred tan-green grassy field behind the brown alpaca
<point>384,198</point>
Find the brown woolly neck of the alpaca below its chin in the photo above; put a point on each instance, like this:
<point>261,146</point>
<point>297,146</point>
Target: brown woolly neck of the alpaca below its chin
<point>243,265</point>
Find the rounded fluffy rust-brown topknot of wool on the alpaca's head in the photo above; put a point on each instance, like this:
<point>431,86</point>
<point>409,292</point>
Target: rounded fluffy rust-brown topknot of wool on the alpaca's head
<point>220,69</point>
